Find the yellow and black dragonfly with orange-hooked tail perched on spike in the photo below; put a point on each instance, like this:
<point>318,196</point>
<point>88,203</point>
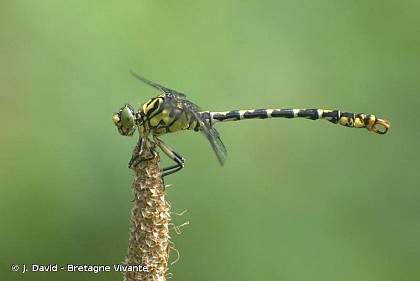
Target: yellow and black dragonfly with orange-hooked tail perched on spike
<point>171,111</point>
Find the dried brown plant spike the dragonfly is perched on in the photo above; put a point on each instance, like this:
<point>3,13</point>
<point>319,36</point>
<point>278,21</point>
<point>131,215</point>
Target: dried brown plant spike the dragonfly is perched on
<point>149,242</point>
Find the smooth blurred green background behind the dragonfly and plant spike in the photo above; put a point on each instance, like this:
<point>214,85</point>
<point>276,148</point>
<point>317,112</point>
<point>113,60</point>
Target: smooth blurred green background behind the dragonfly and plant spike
<point>296,200</point>
